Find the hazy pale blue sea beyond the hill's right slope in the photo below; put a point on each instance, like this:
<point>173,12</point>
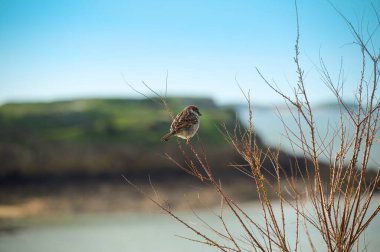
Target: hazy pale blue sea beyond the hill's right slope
<point>269,126</point>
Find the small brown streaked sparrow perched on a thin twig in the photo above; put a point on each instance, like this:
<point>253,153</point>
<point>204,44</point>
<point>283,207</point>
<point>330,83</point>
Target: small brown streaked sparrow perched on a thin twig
<point>185,124</point>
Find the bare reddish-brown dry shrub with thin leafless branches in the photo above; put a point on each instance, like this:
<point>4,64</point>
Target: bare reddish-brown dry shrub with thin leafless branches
<point>336,203</point>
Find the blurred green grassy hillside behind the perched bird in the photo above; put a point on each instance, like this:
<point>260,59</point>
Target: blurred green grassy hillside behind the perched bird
<point>93,137</point>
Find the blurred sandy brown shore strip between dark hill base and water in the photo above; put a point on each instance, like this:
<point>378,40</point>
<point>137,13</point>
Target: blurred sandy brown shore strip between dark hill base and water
<point>113,196</point>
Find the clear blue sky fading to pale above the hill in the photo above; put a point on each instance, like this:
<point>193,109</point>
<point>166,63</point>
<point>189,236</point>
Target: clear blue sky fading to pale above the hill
<point>68,49</point>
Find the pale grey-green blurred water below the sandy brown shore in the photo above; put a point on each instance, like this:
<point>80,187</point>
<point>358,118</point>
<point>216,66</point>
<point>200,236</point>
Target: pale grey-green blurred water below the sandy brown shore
<point>134,232</point>
